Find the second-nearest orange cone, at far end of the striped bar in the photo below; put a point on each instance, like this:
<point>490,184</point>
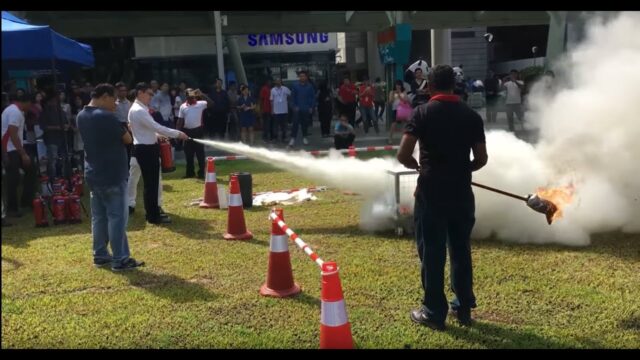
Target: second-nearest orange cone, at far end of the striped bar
<point>279,275</point>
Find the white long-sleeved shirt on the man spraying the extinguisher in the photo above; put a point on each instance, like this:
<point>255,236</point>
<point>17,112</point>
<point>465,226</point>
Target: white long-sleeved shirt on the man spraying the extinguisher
<point>144,128</point>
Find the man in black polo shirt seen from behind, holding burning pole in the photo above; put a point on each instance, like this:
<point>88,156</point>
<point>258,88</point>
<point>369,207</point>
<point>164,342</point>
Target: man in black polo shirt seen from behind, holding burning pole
<point>448,130</point>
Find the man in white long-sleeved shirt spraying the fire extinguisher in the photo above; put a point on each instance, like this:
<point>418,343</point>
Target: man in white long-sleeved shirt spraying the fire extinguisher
<point>147,151</point>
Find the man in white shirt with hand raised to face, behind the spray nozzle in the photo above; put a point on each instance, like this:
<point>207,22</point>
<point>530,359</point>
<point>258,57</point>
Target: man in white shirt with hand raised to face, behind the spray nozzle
<point>190,121</point>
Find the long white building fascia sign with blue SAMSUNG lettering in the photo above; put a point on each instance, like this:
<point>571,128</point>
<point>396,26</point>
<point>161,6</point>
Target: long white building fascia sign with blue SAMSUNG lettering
<point>166,46</point>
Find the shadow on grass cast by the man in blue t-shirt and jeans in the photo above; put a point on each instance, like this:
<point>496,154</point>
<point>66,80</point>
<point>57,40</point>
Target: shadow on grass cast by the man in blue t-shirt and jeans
<point>168,286</point>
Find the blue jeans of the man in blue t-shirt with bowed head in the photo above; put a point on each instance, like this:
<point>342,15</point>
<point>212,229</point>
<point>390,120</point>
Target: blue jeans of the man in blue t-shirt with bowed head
<point>109,216</point>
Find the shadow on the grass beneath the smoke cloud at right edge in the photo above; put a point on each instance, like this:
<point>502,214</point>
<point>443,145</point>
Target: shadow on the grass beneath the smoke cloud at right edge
<point>623,246</point>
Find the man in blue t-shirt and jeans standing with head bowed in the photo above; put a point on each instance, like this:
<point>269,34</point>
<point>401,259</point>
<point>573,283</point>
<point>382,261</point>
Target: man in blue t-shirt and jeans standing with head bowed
<point>105,139</point>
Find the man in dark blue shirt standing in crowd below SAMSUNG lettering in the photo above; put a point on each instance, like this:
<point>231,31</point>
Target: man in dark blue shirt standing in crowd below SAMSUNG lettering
<point>303,96</point>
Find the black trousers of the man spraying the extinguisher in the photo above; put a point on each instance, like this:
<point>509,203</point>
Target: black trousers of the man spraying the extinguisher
<point>148,157</point>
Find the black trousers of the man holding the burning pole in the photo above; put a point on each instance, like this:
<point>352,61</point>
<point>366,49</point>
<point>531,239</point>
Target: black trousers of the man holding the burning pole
<point>442,221</point>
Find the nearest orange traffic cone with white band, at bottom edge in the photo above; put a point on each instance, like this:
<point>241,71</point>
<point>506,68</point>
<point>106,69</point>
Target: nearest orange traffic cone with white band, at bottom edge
<point>335,329</point>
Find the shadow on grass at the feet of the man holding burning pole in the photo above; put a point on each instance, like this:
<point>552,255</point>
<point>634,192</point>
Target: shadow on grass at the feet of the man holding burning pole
<point>494,336</point>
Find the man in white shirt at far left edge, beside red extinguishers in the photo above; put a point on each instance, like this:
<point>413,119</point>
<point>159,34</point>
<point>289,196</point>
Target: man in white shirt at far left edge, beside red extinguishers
<point>15,156</point>
